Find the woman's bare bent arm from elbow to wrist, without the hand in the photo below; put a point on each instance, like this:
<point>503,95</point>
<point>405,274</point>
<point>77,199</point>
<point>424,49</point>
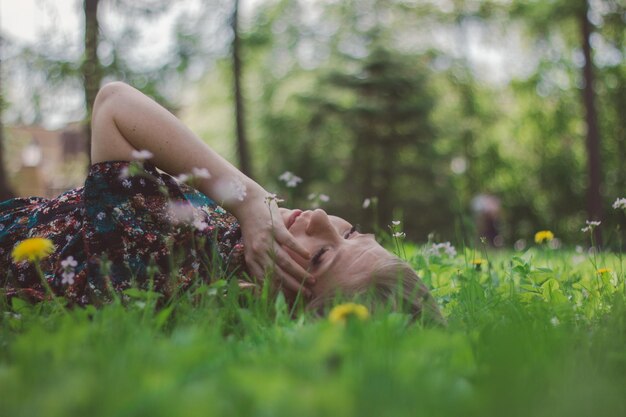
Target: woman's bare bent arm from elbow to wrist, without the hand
<point>123,113</point>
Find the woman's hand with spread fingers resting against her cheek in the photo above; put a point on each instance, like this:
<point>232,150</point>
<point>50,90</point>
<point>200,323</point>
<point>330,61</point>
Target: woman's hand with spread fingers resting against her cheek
<point>265,236</point>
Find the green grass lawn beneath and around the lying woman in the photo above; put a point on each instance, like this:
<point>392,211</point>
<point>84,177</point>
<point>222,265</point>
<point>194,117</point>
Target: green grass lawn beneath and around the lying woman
<point>532,334</point>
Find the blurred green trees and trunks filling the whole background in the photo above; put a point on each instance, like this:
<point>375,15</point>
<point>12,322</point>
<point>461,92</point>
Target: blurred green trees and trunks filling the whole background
<point>396,109</point>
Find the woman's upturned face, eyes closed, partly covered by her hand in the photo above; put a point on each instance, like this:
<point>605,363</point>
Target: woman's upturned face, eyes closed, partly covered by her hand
<point>341,257</point>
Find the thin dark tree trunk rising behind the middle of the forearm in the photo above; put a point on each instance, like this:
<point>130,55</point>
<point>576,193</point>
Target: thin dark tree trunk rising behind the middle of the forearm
<point>242,141</point>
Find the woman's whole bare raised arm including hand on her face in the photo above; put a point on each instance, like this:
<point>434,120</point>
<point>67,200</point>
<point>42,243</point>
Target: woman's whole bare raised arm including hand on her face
<point>125,120</point>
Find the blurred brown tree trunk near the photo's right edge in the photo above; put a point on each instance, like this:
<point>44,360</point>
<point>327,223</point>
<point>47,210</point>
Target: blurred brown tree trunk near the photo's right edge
<point>594,202</point>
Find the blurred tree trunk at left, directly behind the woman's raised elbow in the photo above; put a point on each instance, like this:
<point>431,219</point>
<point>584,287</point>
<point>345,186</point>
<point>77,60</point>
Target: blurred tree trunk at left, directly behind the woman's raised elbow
<point>91,69</point>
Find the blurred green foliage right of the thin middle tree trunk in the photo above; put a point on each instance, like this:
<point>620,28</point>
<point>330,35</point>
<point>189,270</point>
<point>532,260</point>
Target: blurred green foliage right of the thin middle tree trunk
<point>329,118</point>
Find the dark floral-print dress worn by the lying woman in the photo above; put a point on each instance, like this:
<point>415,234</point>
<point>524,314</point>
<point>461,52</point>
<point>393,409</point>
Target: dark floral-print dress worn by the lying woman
<point>119,231</point>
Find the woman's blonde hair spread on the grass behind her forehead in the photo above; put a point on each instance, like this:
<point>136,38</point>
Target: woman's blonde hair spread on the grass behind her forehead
<point>392,282</point>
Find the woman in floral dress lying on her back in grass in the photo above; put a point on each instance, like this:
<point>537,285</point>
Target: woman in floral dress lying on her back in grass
<point>132,224</point>
